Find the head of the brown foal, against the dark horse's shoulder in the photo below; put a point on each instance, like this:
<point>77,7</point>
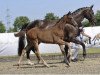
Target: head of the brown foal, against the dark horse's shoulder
<point>69,19</point>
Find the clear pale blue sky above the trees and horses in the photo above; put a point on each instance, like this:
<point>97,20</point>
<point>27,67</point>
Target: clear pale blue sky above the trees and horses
<point>37,9</point>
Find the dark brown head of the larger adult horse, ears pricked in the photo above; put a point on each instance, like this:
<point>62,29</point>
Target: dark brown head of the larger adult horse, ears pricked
<point>89,14</point>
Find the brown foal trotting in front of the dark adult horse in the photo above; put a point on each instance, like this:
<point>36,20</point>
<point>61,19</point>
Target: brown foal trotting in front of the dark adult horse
<point>55,35</point>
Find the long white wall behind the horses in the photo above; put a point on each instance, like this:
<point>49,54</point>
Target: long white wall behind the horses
<point>9,43</point>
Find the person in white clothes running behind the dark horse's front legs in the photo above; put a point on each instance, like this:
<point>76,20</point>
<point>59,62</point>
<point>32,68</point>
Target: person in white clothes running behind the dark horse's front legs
<point>76,47</point>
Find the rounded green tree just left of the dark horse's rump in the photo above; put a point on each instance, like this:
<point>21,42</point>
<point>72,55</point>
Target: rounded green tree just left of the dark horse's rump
<point>20,21</point>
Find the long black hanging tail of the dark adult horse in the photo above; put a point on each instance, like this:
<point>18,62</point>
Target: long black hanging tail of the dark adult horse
<point>21,45</point>
